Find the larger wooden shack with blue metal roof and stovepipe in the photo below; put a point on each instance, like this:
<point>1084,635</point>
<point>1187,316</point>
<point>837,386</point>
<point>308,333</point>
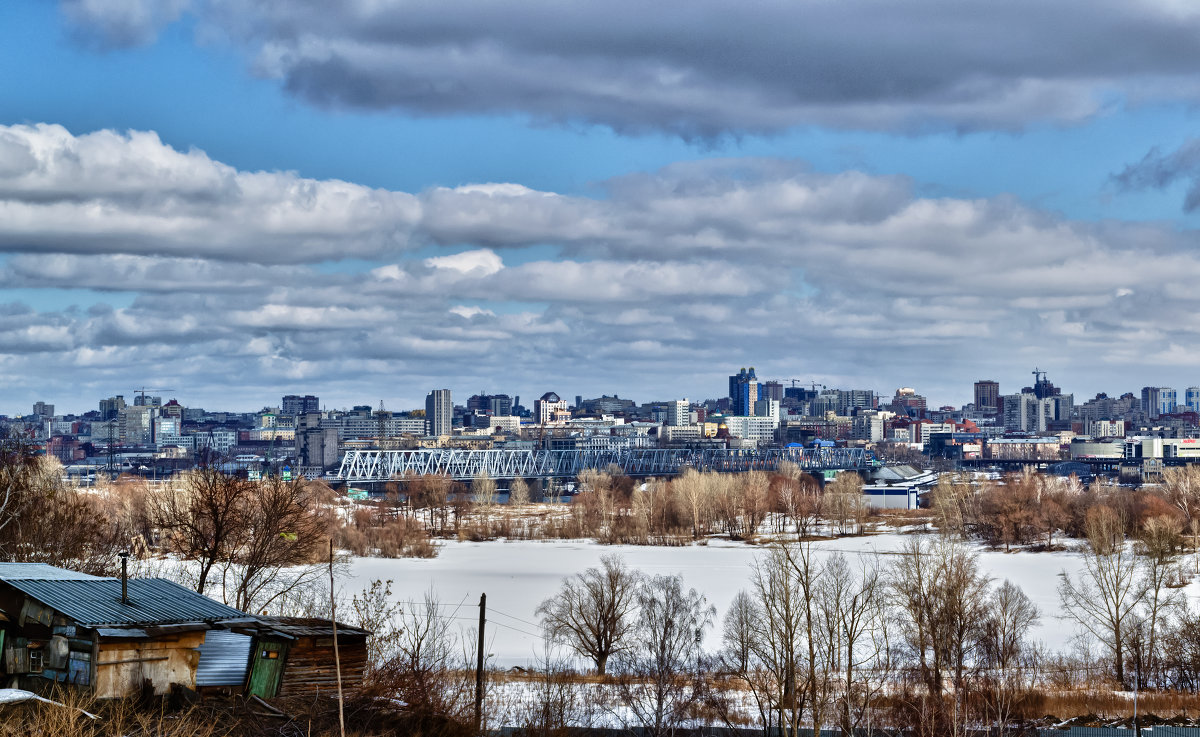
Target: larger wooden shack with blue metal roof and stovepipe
<point>107,636</point>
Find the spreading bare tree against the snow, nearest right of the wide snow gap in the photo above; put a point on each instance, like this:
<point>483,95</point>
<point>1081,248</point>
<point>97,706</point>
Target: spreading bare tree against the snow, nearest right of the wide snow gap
<point>1108,592</point>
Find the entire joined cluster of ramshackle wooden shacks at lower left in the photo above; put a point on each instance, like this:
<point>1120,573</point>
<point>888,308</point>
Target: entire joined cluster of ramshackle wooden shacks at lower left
<point>115,638</point>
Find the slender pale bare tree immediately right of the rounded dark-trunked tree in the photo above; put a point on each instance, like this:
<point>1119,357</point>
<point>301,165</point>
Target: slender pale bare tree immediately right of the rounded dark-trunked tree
<point>659,678</point>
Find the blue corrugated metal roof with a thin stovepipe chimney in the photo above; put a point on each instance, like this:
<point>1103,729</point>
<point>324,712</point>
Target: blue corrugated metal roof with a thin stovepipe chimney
<point>98,602</point>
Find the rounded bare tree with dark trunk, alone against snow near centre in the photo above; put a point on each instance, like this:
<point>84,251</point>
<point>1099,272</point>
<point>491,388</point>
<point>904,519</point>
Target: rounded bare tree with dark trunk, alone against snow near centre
<point>592,613</point>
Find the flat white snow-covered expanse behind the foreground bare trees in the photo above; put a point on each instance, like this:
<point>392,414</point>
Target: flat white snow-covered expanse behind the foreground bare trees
<point>518,577</point>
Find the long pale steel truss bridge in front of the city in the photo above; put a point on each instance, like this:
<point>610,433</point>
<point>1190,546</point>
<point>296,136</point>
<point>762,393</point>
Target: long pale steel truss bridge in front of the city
<point>363,466</point>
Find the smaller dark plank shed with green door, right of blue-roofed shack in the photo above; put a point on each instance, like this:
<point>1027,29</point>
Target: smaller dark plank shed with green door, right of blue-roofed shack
<point>295,657</point>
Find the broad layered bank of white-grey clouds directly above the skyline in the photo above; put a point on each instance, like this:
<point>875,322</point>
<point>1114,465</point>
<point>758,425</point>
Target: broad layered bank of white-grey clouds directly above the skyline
<point>753,262</point>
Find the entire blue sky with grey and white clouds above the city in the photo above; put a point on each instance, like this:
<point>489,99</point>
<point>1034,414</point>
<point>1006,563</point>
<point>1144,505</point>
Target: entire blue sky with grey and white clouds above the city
<point>245,199</point>
